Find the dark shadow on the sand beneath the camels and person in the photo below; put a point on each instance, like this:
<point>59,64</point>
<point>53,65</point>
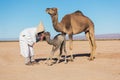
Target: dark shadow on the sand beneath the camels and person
<point>63,56</point>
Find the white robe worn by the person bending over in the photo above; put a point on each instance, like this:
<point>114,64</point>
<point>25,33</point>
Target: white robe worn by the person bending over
<point>27,39</point>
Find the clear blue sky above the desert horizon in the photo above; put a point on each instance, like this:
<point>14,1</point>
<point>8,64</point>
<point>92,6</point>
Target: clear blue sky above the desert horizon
<point>16,15</point>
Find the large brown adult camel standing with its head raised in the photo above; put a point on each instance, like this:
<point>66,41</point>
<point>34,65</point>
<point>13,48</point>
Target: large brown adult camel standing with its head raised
<point>74,23</point>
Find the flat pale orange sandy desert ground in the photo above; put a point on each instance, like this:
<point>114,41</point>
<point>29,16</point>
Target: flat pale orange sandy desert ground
<point>106,66</point>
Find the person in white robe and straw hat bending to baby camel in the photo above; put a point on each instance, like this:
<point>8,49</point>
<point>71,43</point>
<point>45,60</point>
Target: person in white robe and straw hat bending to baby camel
<point>28,37</point>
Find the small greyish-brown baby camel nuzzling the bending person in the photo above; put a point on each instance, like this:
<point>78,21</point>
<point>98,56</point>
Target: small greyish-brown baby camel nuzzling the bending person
<point>58,42</point>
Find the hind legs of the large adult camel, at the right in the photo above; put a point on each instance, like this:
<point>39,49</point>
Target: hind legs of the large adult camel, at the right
<point>91,39</point>
